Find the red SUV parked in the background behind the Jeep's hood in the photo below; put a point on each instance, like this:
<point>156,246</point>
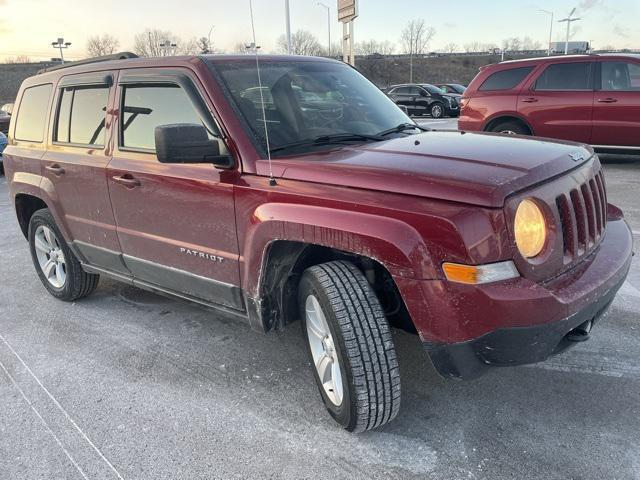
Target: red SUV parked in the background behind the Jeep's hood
<point>592,99</point>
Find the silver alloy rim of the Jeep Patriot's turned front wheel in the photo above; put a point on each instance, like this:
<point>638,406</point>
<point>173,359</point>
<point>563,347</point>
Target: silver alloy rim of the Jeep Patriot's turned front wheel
<point>323,351</point>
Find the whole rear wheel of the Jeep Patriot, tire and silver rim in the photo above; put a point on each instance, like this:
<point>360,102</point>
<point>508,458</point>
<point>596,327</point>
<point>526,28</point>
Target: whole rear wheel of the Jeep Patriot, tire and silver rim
<point>58,268</point>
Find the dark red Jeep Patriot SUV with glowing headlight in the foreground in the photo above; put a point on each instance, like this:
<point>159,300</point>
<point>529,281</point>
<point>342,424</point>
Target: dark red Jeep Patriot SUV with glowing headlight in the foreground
<point>306,193</point>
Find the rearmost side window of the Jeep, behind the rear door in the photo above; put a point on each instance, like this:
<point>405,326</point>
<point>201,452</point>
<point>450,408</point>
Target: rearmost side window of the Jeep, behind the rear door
<point>32,114</point>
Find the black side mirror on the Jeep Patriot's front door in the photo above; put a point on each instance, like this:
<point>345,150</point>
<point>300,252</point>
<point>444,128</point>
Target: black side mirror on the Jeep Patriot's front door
<point>188,143</point>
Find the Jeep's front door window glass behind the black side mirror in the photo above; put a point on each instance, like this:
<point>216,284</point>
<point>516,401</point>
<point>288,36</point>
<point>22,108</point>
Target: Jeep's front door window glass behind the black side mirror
<point>146,107</point>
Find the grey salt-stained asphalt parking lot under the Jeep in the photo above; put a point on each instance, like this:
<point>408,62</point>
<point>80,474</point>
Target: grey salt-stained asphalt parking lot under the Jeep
<point>130,385</point>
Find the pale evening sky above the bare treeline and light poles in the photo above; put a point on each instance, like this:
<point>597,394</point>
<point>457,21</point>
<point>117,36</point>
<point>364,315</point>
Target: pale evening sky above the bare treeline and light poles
<point>27,27</point>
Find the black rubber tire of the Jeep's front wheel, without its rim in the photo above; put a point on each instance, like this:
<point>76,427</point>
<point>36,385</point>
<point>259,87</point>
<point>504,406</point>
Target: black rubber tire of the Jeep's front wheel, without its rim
<point>363,343</point>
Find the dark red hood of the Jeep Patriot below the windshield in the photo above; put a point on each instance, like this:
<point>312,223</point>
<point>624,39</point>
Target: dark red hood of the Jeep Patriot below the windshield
<point>474,168</point>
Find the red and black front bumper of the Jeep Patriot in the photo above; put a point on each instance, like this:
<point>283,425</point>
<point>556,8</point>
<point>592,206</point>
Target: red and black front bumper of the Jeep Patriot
<point>472,328</point>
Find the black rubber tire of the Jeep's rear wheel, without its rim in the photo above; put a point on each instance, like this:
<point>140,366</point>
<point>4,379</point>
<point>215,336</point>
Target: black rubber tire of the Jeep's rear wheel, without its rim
<point>78,283</point>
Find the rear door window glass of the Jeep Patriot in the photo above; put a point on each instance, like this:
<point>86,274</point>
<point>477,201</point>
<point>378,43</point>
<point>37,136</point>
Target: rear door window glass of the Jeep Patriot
<point>87,116</point>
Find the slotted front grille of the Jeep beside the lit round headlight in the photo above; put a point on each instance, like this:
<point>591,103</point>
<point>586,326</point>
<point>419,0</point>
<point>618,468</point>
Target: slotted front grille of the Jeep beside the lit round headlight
<point>583,217</point>
